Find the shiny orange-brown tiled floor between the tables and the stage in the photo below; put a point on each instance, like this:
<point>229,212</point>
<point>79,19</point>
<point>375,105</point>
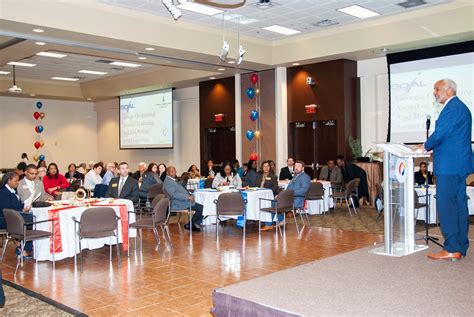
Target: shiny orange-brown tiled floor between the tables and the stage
<point>178,281</point>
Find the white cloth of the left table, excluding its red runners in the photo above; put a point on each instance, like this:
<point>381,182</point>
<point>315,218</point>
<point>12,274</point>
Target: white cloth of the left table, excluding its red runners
<point>42,247</point>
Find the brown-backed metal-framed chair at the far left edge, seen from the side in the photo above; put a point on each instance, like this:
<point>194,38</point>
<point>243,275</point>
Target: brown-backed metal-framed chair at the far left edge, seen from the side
<point>17,229</point>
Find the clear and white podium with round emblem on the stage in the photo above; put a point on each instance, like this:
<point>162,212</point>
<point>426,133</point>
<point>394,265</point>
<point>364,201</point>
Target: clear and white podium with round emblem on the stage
<point>399,198</point>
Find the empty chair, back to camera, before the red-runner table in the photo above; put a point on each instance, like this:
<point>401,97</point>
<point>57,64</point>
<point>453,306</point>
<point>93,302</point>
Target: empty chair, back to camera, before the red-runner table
<point>97,223</point>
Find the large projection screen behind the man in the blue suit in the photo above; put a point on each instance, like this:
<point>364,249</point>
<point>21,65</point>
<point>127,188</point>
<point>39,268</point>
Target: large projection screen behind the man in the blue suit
<point>412,76</point>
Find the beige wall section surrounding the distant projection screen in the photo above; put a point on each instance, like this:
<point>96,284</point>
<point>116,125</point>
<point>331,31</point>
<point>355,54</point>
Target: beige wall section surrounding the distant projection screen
<point>186,149</point>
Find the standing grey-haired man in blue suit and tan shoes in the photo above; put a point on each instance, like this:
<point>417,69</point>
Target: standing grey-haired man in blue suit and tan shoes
<point>451,146</point>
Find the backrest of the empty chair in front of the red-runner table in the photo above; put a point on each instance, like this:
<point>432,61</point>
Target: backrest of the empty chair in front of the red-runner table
<point>98,219</point>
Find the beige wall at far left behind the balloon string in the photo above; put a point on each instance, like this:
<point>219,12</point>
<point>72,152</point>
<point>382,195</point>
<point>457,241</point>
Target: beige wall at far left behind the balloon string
<point>70,131</point>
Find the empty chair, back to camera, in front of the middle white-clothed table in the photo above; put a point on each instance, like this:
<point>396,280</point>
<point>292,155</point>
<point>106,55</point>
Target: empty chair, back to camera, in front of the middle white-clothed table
<point>230,204</point>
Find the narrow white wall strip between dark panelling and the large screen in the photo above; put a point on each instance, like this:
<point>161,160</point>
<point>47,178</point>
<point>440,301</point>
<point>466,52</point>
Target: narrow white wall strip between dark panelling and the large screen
<point>374,94</point>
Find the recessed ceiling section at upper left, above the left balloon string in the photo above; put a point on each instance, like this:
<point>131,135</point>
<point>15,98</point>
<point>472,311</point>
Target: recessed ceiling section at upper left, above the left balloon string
<point>48,67</point>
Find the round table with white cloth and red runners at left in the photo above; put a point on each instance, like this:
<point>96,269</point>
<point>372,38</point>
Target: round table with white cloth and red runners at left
<point>65,227</point>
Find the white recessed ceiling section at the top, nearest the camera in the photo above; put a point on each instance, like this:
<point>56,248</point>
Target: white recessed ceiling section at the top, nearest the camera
<point>296,14</point>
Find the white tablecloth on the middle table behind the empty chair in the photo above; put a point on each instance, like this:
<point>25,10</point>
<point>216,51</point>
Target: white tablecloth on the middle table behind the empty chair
<point>206,198</point>
